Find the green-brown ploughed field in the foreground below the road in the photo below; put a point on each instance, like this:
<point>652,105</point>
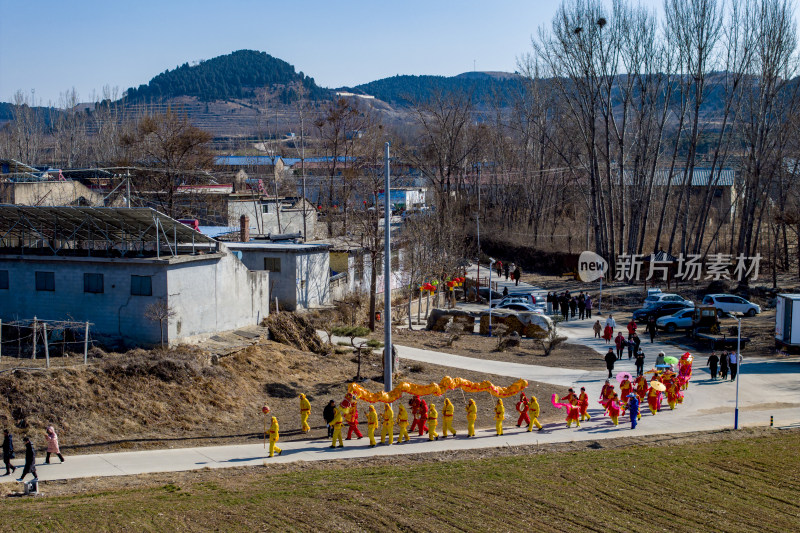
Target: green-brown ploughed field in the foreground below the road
<point>747,483</point>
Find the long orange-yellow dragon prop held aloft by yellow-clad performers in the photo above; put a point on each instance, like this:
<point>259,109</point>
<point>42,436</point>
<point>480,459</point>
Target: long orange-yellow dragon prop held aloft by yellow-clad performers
<point>437,389</point>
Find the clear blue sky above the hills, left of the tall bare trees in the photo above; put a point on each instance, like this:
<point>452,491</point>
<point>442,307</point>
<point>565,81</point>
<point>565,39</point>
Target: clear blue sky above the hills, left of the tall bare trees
<point>50,47</point>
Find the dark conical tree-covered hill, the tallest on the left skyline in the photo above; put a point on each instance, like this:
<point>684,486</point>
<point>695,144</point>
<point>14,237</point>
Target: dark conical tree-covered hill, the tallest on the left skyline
<point>232,76</point>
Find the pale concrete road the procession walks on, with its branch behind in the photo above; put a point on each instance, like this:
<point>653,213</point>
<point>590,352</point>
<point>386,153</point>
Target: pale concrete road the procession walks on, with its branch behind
<point>767,388</point>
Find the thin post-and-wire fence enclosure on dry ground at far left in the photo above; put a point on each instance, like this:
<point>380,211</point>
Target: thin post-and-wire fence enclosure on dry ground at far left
<point>23,338</point>
